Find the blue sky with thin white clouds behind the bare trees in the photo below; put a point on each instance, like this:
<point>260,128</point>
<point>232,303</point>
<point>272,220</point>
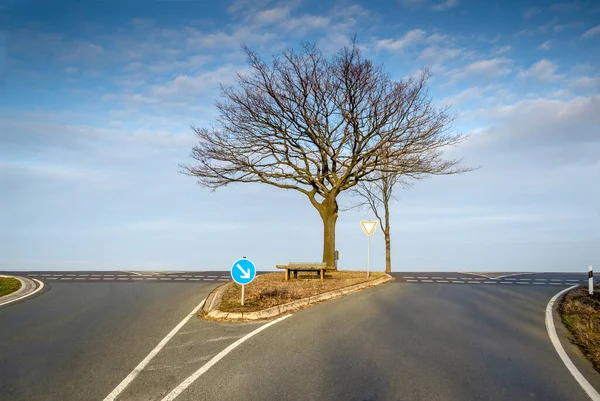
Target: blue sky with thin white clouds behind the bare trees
<point>98,98</point>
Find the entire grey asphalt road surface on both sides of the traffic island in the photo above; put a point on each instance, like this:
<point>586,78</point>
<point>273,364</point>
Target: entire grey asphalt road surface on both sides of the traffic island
<point>426,336</point>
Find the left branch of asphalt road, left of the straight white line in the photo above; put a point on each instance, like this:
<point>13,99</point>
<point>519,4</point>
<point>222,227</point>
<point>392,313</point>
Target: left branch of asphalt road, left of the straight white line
<point>77,341</point>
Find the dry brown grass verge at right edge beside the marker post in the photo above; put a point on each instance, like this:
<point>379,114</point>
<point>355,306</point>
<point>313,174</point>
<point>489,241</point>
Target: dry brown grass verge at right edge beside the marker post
<point>580,312</point>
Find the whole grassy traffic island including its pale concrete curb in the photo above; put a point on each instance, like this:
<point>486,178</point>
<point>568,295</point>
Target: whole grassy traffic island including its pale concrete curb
<point>269,291</point>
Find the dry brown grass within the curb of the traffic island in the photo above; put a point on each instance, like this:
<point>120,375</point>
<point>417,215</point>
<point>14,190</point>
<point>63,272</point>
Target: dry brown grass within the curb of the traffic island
<point>271,289</point>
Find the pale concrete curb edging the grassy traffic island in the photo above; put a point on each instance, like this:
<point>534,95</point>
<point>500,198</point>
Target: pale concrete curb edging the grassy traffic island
<point>212,312</point>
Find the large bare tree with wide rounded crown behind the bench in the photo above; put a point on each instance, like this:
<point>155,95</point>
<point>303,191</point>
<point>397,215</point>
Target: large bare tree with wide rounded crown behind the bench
<point>320,126</point>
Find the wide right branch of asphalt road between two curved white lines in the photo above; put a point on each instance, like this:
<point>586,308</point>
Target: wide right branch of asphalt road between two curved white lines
<point>402,342</point>
